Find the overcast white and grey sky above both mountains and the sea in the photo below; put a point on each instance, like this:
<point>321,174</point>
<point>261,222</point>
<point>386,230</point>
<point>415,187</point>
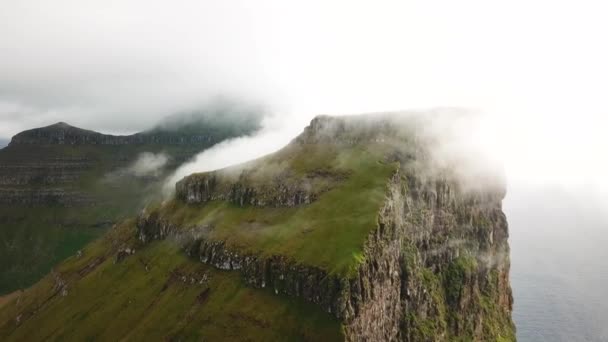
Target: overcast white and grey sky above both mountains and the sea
<point>538,67</point>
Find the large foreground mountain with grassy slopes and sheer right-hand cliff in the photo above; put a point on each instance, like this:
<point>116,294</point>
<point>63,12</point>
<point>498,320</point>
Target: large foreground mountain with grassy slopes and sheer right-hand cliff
<point>358,230</point>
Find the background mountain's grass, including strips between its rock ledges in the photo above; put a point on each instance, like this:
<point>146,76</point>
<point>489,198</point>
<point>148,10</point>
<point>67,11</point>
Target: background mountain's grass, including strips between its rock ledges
<point>33,239</point>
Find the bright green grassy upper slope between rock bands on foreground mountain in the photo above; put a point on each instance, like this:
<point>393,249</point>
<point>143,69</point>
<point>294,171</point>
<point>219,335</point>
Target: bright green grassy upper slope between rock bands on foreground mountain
<point>329,233</point>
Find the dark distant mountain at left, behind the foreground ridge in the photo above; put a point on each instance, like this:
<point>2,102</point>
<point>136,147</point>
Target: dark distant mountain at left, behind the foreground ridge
<point>62,186</point>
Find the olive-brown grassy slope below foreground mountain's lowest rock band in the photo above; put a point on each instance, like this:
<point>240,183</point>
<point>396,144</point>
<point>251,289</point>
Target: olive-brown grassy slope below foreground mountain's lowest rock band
<point>124,301</point>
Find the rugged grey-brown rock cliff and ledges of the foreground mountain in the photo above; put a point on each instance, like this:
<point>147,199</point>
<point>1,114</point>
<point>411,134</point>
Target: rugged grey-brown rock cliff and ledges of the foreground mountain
<point>435,268</point>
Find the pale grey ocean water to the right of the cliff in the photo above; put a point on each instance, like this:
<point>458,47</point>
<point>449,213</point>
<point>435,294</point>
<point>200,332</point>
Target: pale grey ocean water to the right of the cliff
<point>559,264</point>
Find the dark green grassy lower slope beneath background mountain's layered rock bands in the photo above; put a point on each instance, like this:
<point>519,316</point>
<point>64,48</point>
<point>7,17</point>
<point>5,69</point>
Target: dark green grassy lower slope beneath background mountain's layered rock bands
<point>35,238</point>
